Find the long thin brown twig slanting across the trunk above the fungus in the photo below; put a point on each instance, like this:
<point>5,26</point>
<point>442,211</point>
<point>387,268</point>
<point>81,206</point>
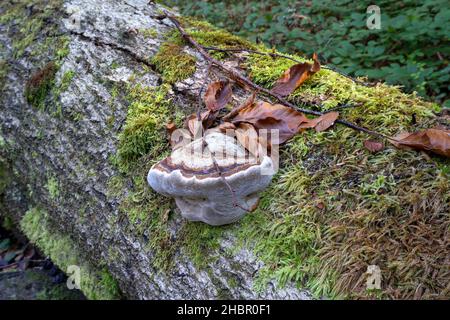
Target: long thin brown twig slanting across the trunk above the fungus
<point>245,82</point>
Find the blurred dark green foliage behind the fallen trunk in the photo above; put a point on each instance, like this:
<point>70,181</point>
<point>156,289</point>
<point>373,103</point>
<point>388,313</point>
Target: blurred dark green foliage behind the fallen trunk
<point>411,48</point>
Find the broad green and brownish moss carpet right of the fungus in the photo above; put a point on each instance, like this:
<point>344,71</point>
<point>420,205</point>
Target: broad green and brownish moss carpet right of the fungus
<point>364,195</point>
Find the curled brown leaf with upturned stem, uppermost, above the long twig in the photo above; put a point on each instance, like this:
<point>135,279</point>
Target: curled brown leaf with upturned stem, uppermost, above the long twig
<point>295,76</point>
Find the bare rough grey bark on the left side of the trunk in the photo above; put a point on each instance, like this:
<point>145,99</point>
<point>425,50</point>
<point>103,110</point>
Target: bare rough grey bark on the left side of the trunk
<point>52,144</point>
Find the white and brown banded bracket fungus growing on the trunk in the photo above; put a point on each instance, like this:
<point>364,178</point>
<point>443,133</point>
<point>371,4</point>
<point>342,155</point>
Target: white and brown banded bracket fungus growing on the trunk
<point>213,179</point>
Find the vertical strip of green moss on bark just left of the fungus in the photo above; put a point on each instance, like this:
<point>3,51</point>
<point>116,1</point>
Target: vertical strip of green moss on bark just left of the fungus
<point>141,144</point>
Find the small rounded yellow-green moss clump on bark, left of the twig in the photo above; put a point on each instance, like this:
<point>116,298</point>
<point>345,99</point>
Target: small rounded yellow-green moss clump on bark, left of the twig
<point>173,64</point>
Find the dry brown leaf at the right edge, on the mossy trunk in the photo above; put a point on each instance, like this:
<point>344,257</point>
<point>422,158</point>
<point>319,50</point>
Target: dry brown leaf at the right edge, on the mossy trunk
<point>434,140</point>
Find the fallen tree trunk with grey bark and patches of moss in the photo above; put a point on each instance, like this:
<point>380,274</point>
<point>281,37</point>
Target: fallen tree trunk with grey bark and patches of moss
<point>87,88</point>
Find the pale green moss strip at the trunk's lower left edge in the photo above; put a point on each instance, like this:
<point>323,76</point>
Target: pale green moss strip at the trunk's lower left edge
<point>95,284</point>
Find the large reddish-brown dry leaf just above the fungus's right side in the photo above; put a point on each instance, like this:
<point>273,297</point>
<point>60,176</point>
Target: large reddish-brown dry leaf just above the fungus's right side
<point>263,115</point>
